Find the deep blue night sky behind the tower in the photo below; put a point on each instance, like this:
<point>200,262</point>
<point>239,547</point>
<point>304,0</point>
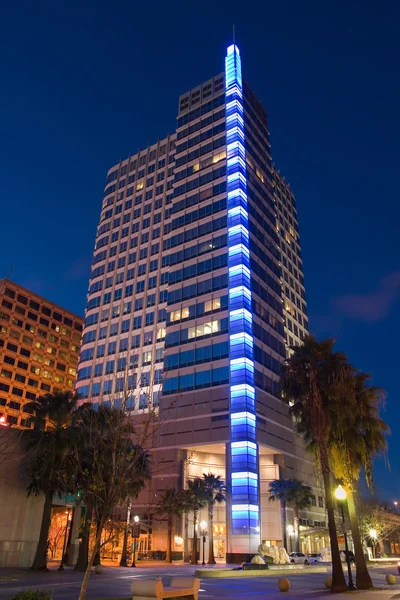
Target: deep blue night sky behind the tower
<point>84,84</point>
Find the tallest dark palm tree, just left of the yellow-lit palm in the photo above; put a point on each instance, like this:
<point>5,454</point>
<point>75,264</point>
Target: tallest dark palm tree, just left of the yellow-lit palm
<point>313,383</point>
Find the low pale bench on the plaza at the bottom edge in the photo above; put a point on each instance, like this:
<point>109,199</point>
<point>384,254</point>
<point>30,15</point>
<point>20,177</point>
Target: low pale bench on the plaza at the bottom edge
<point>181,587</point>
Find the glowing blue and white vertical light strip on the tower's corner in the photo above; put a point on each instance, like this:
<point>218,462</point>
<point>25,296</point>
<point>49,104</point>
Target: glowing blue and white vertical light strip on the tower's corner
<point>244,449</point>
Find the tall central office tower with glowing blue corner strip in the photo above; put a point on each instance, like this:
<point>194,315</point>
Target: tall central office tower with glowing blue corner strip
<point>195,294</point>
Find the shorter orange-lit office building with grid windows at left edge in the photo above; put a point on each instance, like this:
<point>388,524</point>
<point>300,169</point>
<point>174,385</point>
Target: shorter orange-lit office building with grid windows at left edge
<point>39,349</point>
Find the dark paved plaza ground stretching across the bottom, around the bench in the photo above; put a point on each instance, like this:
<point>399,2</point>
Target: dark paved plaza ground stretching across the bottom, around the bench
<point>115,582</point>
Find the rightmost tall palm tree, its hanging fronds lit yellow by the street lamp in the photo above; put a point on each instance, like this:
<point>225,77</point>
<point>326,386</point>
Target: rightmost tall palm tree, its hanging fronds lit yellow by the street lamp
<point>355,443</point>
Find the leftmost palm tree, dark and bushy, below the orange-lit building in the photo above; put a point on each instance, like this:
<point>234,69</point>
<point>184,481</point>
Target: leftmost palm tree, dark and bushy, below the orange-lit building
<point>50,469</point>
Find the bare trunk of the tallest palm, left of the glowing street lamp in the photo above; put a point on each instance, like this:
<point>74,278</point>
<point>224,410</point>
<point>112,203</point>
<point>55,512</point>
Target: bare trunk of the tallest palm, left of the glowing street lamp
<point>338,579</point>
